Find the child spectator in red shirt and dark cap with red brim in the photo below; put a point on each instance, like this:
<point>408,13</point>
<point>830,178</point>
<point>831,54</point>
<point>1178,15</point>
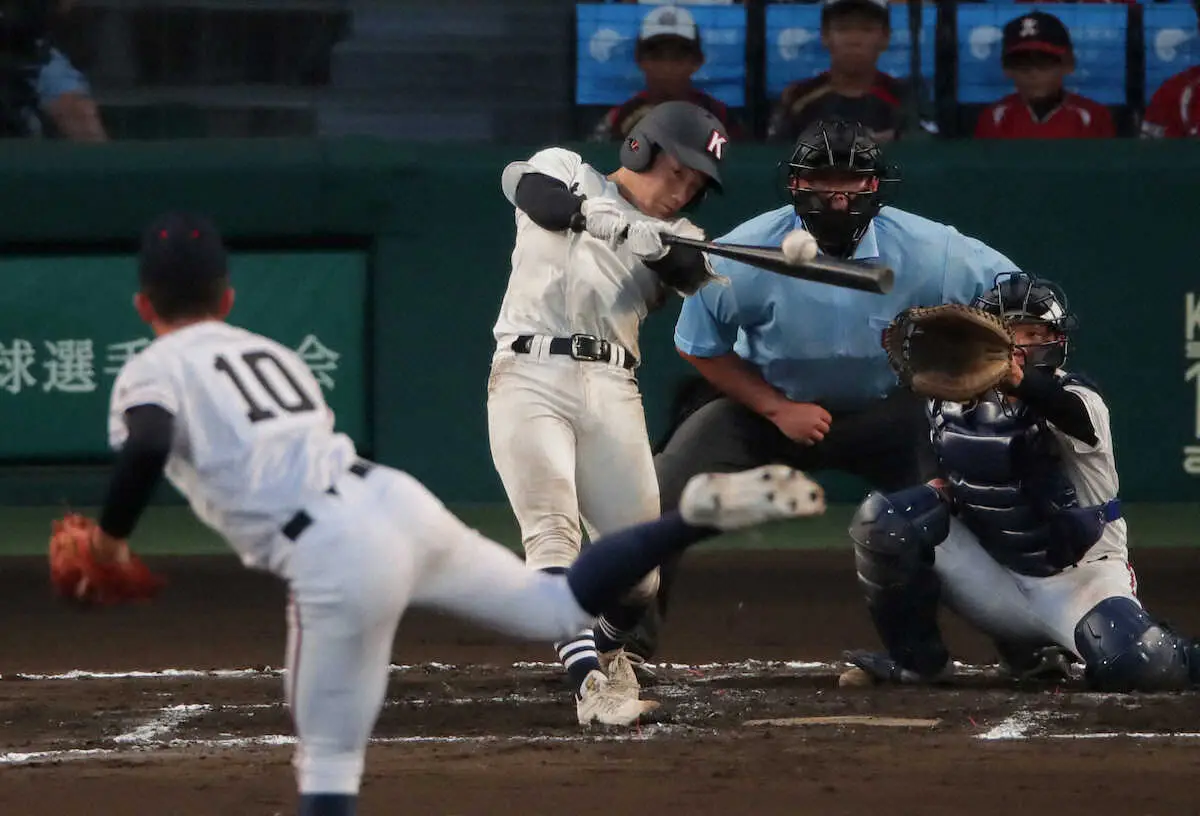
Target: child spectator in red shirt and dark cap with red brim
<point>1037,56</point>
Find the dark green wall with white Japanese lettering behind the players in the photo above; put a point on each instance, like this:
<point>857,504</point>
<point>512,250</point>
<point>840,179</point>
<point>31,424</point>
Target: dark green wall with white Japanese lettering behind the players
<point>385,265</point>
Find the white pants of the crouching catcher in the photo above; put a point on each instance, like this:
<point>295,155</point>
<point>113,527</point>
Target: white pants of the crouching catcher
<point>1021,609</point>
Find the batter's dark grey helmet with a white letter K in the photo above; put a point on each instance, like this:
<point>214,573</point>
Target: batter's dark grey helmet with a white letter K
<point>693,136</point>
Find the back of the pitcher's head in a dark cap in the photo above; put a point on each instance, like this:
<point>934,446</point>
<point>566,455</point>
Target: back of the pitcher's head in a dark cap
<point>183,267</point>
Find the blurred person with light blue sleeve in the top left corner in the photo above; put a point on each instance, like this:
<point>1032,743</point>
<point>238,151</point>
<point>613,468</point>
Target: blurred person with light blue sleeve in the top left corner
<point>39,85</point>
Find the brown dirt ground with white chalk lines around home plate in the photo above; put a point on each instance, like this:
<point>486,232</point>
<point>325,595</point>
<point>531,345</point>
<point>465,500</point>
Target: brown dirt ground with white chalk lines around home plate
<point>176,710</point>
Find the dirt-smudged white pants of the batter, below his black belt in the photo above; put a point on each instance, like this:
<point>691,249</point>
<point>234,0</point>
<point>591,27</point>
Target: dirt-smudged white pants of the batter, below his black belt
<point>569,440</point>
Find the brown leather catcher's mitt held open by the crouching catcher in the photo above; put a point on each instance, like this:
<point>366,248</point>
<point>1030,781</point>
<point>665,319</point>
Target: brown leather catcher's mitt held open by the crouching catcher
<point>950,352</point>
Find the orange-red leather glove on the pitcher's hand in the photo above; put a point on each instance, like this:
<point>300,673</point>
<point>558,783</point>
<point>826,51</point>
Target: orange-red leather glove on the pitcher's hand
<point>79,577</point>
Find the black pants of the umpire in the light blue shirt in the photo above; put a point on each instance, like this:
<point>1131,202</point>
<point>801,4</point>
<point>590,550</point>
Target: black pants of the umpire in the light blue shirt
<point>886,443</point>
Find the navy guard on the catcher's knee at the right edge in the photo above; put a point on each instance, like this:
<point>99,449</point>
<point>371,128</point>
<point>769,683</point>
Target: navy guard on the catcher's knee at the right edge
<point>1125,650</point>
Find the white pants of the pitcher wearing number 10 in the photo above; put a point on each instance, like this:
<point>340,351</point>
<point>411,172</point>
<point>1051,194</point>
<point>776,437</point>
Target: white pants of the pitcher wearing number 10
<point>382,544</point>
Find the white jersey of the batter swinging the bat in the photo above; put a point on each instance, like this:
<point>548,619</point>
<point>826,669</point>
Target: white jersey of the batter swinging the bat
<point>568,283</point>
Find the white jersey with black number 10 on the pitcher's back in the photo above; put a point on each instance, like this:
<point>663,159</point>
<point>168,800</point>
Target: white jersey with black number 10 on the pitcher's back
<point>255,440</point>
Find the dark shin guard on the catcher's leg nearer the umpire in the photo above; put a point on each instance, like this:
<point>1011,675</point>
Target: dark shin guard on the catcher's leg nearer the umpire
<point>895,538</point>
